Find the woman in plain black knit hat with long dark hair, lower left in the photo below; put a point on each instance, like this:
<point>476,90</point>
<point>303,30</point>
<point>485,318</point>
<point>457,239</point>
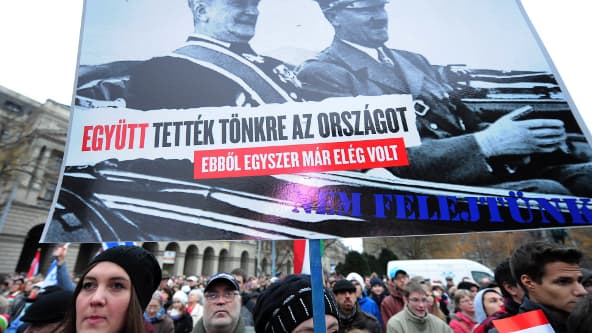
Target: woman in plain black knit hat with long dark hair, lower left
<point>113,292</point>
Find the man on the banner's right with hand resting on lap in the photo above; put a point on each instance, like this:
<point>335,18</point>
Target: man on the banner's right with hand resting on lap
<point>457,147</point>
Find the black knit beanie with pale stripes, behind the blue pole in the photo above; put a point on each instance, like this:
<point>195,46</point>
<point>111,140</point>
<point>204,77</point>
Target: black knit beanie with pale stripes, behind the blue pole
<point>286,304</point>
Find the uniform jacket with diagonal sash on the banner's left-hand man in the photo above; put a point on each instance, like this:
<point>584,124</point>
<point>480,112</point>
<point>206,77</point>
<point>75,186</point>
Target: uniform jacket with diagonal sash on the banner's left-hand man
<point>205,72</point>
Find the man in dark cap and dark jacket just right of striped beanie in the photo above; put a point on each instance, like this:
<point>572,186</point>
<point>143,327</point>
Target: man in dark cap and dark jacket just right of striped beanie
<point>350,313</point>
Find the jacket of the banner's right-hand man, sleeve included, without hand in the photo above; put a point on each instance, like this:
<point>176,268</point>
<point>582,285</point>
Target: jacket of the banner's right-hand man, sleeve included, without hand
<point>449,152</point>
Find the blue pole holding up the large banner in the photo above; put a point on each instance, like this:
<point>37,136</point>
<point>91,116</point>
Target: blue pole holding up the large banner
<point>316,281</point>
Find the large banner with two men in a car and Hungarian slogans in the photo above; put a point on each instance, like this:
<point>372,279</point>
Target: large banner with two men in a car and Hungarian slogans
<point>491,142</point>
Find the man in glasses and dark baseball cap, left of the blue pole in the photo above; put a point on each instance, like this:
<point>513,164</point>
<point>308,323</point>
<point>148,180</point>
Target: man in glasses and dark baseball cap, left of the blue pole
<point>222,307</point>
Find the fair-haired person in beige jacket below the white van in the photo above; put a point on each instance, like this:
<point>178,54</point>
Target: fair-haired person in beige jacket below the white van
<point>415,316</point>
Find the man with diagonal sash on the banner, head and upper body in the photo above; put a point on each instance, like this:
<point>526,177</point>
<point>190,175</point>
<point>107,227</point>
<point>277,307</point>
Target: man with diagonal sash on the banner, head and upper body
<point>216,66</point>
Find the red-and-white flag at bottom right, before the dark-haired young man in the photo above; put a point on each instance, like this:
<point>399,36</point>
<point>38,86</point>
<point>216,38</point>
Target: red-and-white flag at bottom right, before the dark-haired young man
<point>528,322</point>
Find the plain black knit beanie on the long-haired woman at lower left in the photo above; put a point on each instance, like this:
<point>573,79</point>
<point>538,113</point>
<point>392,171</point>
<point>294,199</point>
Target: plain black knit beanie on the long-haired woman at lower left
<point>141,266</point>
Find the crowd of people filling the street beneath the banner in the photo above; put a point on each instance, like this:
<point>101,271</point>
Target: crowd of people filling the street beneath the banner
<point>124,290</point>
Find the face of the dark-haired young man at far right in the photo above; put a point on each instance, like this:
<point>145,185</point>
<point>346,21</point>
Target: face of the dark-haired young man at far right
<point>560,286</point>
